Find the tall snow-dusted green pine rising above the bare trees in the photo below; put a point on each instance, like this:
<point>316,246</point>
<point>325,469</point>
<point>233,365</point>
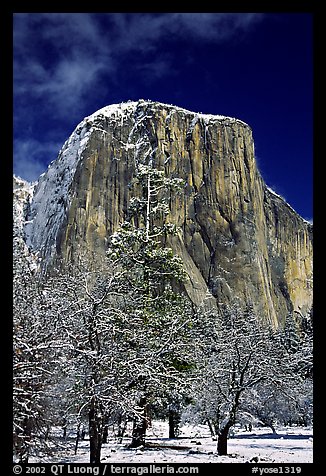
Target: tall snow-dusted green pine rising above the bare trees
<point>154,273</point>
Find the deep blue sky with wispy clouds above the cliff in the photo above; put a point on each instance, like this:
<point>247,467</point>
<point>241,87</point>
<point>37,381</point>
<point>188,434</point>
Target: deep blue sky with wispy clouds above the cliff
<point>257,67</point>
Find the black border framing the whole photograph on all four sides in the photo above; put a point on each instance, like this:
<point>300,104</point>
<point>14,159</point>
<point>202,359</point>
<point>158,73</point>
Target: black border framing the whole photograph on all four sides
<point>6,215</point>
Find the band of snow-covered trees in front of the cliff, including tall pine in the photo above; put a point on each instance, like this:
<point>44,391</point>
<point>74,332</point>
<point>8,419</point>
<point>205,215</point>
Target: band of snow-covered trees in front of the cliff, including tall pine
<point>97,348</point>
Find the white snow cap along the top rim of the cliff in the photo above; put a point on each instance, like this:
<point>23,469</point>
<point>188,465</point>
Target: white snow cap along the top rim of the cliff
<point>131,106</point>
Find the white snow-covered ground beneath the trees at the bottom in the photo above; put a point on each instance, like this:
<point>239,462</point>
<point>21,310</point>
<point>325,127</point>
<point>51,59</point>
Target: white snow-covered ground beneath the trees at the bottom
<point>194,445</point>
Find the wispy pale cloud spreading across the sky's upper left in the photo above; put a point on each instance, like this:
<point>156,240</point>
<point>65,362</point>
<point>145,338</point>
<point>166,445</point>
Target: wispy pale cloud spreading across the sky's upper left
<point>62,61</point>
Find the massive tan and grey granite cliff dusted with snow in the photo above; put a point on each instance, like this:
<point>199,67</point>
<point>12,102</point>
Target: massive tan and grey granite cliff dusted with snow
<point>236,238</point>
